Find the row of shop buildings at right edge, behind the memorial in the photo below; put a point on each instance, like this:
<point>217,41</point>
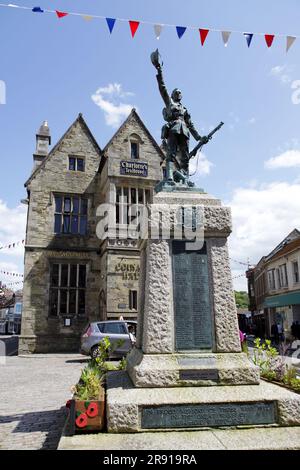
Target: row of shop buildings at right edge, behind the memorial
<point>274,287</point>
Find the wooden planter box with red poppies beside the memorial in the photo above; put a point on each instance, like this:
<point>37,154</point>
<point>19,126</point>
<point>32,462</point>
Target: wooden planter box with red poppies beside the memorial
<point>87,415</point>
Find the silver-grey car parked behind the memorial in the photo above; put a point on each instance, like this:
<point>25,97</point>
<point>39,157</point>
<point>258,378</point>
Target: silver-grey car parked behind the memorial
<point>118,332</point>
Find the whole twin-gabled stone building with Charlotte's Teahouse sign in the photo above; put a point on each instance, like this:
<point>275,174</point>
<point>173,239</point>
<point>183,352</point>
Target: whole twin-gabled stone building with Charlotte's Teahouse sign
<point>75,270</point>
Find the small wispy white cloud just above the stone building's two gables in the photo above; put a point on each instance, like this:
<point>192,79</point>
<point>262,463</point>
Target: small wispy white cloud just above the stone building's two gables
<point>108,99</point>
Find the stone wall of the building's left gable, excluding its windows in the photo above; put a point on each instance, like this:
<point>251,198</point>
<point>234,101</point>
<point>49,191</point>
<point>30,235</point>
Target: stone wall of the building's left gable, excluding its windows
<point>40,332</point>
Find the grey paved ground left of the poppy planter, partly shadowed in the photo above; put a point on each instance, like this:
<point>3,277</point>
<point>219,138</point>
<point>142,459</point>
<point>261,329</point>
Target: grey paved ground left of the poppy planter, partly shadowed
<point>33,393</point>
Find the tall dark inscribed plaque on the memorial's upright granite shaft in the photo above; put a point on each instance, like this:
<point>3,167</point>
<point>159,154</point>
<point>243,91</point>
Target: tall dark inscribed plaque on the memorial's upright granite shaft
<point>193,322</point>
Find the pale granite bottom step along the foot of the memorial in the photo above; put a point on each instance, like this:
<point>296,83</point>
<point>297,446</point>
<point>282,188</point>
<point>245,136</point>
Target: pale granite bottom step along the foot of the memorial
<point>231,439</point>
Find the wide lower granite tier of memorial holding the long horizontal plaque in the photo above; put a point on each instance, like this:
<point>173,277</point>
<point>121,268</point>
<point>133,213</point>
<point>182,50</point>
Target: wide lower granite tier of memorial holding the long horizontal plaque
<point>131,409</point>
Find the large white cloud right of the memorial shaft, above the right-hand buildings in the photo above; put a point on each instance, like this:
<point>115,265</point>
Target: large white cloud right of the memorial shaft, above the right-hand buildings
<point>262,217</point>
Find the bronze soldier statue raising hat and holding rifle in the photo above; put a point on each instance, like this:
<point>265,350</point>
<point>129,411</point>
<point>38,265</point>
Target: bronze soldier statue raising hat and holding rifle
<point>176,132</point>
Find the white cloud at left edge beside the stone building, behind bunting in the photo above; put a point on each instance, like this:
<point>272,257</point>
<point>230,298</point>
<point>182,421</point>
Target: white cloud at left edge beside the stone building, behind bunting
<point>12,230</point>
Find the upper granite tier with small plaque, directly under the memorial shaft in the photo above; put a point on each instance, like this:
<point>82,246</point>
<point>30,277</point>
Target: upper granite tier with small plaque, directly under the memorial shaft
<point>181,370</point>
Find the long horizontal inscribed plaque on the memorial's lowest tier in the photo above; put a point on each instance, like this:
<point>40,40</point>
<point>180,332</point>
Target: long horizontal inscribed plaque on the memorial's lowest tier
<point>212,415</point>
